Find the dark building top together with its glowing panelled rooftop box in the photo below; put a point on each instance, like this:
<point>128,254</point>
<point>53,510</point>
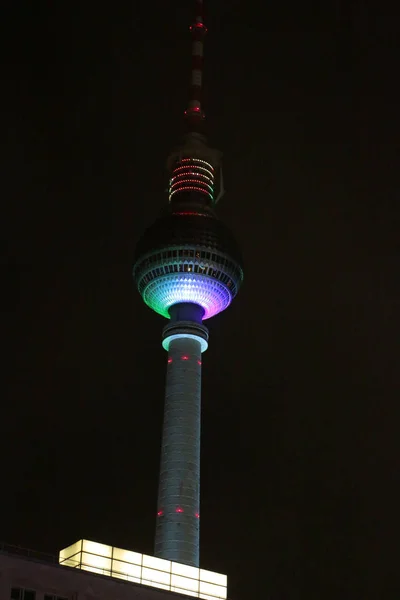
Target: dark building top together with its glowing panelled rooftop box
<point>101,571</point>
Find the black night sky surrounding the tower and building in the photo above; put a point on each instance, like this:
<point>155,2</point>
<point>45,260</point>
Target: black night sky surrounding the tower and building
<point>300,447</point>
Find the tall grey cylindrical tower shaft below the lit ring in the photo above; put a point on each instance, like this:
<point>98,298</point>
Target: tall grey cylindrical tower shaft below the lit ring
<point>177,530</point>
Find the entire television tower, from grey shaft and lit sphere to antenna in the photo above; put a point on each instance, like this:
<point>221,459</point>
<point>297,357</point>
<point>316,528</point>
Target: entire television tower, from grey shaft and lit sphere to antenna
<point>187,268</point>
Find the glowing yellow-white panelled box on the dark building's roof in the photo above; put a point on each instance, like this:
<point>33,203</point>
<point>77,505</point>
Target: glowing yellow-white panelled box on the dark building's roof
<point>144,569</point>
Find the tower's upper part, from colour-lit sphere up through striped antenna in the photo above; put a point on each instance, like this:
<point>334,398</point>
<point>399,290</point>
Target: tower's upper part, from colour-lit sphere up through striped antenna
<point>188,255</point>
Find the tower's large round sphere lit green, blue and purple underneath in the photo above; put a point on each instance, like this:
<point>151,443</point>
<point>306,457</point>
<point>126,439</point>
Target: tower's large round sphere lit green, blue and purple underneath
<point>188,256</point>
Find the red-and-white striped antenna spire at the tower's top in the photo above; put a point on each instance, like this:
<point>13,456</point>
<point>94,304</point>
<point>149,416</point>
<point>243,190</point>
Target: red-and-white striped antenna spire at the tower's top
<point>194,113</point>
